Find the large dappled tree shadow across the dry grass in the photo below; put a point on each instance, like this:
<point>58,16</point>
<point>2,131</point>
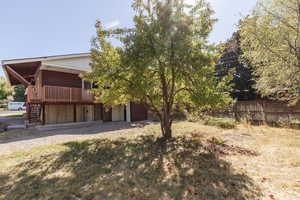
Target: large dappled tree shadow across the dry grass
<point>130,169</point>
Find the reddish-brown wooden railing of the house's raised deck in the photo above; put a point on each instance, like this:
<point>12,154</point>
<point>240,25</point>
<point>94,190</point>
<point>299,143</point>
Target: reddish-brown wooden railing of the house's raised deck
<point>55,94</point>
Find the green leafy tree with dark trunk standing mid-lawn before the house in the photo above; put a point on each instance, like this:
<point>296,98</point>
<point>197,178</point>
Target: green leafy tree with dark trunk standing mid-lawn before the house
<point>163,62</point>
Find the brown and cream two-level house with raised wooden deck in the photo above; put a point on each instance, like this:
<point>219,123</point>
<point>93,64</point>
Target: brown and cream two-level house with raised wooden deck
<point>57,94</point>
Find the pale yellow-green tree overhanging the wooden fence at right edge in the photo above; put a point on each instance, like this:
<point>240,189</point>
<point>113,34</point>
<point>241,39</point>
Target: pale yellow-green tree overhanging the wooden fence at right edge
<point>271,42</point>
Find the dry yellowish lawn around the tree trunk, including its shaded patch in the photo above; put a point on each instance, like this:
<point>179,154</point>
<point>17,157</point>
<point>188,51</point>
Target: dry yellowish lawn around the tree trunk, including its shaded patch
<point>202,162</point>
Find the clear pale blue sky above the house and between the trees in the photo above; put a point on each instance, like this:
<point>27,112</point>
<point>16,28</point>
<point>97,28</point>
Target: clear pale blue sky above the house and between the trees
<point>31,28</point>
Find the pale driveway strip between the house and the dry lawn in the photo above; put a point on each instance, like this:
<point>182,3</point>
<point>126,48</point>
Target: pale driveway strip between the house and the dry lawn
<point>63,135</point>
